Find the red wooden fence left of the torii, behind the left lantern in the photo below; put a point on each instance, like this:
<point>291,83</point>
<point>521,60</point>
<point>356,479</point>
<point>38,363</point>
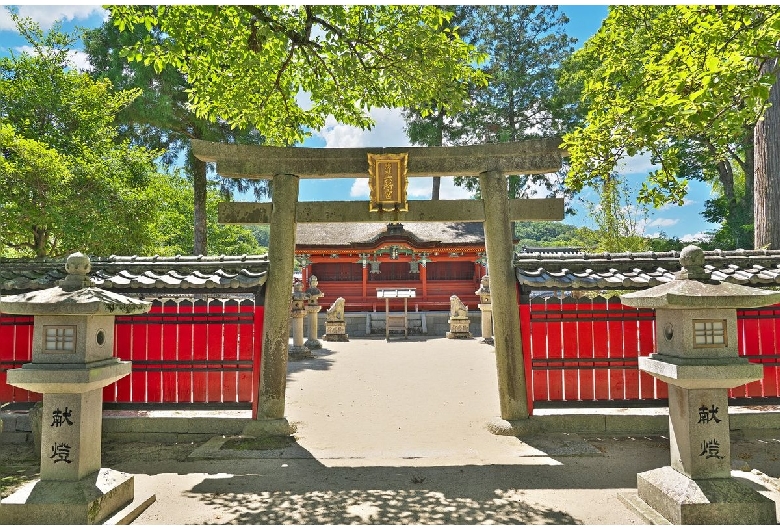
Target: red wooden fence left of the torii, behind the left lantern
<point>182,352</point>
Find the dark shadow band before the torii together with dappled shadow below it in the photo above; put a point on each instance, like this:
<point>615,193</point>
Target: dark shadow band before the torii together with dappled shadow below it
<point>295,488</point>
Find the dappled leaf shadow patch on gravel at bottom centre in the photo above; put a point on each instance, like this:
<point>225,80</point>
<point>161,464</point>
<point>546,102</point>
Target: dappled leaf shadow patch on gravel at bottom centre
<point>360,496</point>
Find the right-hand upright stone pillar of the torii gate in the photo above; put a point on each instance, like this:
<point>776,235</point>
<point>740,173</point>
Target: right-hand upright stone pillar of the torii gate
<point>508,341</point>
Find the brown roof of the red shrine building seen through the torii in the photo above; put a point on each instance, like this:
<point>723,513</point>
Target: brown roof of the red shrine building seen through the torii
<point>362,235</point>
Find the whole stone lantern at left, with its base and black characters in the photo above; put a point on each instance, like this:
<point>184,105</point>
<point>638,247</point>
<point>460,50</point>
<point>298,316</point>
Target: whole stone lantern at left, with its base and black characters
<point>72,360</point>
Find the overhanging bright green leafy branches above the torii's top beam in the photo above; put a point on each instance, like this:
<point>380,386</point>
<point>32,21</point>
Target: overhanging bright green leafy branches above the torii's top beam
<point>284,69</point>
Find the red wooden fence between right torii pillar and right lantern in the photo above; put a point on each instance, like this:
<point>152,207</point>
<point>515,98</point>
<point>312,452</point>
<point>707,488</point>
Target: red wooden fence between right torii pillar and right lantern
<point>587,350</point>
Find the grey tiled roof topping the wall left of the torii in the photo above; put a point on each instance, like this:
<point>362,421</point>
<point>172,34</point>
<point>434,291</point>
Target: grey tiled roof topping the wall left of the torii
<point>141,274</point>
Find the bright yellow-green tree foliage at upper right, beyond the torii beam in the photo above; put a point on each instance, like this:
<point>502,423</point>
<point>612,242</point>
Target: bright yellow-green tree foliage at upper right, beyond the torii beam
<point>681,83</point>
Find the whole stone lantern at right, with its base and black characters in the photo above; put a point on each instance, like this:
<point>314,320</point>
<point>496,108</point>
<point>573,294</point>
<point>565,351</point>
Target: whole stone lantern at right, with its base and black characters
<point>696,340</point>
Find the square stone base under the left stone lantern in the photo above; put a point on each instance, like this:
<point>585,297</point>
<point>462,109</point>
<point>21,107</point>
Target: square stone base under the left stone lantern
<point>90,500</point>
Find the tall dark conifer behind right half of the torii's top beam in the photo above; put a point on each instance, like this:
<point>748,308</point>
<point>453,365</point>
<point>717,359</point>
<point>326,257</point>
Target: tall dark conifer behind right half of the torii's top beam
<point>524,46</point>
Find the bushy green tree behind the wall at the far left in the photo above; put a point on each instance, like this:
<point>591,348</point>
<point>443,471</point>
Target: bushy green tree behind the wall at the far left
<point>66,183</point>
